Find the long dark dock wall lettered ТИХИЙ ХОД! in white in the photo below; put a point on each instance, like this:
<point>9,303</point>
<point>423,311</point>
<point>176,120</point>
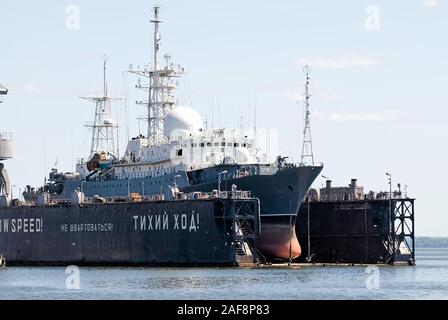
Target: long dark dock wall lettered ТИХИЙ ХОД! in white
<point>194,230</point>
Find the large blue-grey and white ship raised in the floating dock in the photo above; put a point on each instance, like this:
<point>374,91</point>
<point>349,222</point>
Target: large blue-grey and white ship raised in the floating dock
<point>180,155</point>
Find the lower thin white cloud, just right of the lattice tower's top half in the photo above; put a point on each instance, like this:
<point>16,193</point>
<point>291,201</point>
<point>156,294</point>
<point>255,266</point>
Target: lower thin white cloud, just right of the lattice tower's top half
<point>350,116</point>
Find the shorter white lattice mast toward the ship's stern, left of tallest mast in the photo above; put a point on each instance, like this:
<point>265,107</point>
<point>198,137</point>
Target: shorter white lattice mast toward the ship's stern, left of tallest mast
<point>103,127</point>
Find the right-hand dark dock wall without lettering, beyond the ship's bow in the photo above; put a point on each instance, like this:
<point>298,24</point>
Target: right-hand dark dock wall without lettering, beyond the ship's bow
<point>346,226</point>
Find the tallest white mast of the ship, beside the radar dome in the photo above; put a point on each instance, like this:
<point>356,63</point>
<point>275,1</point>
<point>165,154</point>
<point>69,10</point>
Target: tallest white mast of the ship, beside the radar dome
<point>161,88</point>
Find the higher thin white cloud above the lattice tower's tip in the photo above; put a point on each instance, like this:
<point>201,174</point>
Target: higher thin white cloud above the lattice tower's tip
<point>344,62</point>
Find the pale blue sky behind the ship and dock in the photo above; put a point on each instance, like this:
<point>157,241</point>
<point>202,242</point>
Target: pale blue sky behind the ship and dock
<point>379,82</point>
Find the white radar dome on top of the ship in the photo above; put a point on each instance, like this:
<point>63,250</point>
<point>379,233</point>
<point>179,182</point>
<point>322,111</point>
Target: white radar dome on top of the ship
<point>182,120</point>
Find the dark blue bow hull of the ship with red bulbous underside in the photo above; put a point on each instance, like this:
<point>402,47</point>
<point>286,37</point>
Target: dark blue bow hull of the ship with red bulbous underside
<point>280,195</point>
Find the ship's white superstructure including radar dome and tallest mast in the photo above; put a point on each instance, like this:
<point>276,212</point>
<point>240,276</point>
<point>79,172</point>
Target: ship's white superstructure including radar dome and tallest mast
<point>177,138</point>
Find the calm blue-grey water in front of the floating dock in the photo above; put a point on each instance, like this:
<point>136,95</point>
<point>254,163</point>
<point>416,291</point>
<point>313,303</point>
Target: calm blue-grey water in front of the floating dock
<point>428,280</point>
